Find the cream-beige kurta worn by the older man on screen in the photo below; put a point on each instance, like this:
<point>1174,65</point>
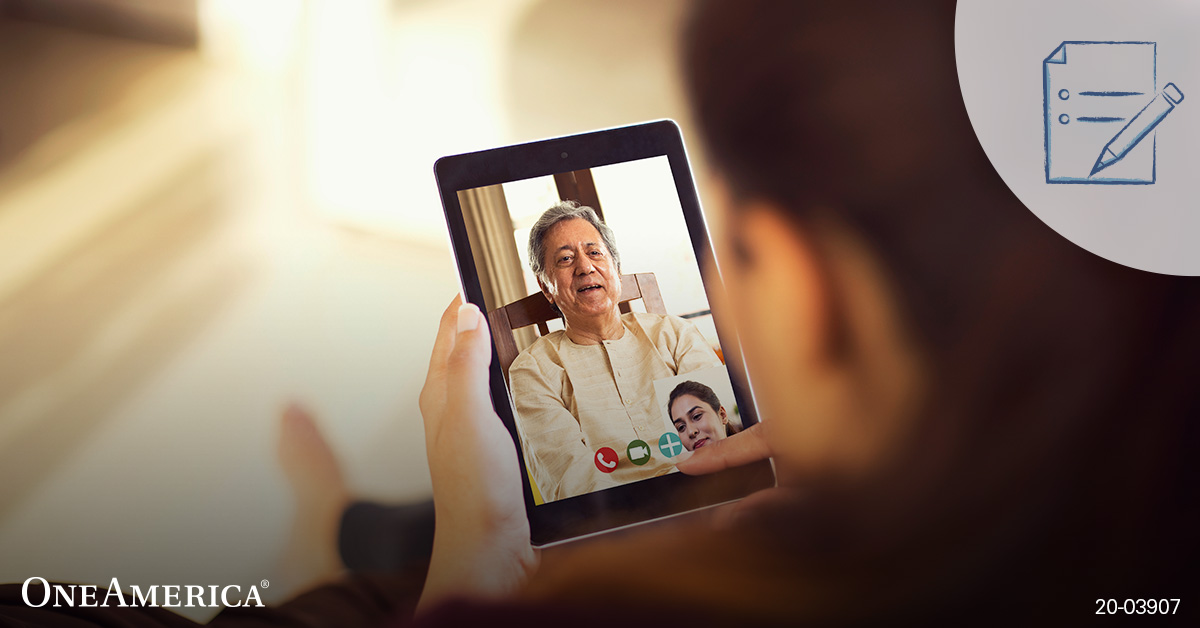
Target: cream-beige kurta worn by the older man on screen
<point>574,399</point>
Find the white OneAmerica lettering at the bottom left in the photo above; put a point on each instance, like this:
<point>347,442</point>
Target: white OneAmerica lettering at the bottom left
<point>171,596</point>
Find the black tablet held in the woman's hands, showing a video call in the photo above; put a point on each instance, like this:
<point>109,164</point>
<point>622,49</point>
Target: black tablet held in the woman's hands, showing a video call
<point>587,253</point>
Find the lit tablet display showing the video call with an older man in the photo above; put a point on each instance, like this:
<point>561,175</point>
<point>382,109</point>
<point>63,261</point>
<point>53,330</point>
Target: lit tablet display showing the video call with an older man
<point>593,412</point>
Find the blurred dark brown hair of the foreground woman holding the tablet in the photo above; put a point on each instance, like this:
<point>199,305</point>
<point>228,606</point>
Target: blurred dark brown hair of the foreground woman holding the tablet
<point>1061,404</point>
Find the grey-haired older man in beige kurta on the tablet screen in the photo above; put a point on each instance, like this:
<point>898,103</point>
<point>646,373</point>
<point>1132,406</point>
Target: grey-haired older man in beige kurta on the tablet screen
<point>592,385</point>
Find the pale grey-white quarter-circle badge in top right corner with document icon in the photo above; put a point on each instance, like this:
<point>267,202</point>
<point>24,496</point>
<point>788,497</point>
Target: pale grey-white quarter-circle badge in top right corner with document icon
<point>1090,111</point>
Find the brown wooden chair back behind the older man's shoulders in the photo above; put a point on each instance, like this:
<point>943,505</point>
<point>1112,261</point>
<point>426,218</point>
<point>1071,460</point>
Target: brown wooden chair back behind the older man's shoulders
<point>536,310</point>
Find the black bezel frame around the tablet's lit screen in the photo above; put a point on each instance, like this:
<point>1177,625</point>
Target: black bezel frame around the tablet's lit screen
<point>640,501</point>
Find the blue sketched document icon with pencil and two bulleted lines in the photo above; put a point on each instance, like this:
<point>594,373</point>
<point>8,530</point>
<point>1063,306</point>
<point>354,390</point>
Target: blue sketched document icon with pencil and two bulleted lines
<point>1102,106</point>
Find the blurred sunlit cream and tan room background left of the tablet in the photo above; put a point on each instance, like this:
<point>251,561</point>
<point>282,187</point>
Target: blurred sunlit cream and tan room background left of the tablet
<point>209,208</point>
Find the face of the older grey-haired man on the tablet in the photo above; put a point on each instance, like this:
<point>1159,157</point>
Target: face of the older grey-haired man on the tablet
<point>585,282</point>
